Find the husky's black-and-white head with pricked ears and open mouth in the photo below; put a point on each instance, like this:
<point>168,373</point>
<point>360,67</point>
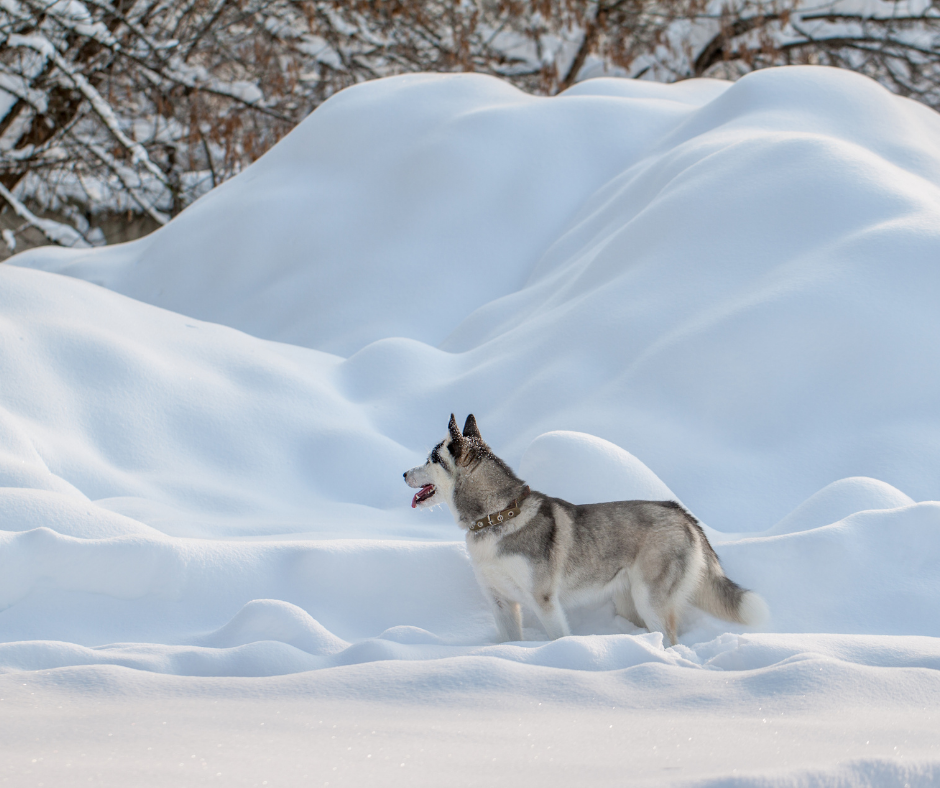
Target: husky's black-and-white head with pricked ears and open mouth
<point>438,476</point>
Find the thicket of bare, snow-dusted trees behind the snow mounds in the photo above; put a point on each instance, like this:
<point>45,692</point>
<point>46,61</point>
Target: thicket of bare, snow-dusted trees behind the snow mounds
<point>138,107</point>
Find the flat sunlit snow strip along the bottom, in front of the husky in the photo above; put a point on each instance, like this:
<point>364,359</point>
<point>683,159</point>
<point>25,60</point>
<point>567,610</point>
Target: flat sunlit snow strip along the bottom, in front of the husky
<point>477,721</point>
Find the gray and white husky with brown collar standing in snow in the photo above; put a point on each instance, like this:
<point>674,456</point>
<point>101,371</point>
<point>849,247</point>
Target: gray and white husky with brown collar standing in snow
<point>650,557</point>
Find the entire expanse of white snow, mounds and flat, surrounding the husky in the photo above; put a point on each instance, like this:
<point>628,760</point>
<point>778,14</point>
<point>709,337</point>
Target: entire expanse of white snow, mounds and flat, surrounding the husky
<point>722,293</point>
